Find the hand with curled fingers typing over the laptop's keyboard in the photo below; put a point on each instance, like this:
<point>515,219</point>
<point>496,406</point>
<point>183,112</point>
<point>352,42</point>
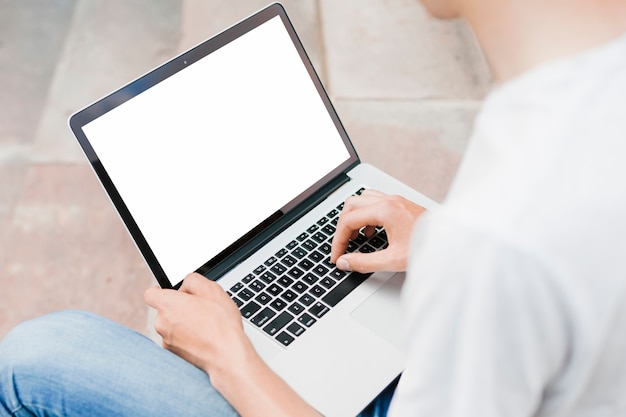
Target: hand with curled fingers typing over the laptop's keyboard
<point>373,208</point>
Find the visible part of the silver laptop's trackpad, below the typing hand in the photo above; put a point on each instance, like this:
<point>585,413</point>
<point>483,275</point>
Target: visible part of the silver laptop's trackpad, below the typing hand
<point>382,312</point>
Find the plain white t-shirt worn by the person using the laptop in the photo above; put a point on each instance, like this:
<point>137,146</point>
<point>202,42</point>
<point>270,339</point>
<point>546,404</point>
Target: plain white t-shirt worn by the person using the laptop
<point>516,295</point>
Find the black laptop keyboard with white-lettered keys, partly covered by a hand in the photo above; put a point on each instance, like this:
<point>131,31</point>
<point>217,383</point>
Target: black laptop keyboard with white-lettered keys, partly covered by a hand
<point>293,289</point>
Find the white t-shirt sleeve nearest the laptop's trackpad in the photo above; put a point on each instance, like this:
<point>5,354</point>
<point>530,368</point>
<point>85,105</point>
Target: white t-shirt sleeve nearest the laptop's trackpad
<point>485,330</point>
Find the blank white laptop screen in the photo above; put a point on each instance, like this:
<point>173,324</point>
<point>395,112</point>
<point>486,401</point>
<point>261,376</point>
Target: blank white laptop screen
<point>210,152</point>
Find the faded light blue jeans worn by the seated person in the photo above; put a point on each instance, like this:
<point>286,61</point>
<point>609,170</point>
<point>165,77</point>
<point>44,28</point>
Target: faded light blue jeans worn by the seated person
<point>79,364</point>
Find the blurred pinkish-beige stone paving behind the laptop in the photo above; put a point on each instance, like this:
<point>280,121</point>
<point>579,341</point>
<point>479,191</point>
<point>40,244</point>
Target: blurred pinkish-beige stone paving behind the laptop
<point>406,86</point>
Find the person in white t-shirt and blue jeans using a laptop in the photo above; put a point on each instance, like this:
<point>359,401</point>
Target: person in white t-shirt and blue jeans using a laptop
<point>516,291</point>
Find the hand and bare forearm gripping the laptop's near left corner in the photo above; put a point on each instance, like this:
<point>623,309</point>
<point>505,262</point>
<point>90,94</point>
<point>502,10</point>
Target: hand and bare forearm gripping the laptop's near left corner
<point>201,324</point>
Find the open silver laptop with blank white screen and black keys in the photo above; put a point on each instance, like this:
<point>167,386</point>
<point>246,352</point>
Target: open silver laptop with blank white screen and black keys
<point>230,160</point>
